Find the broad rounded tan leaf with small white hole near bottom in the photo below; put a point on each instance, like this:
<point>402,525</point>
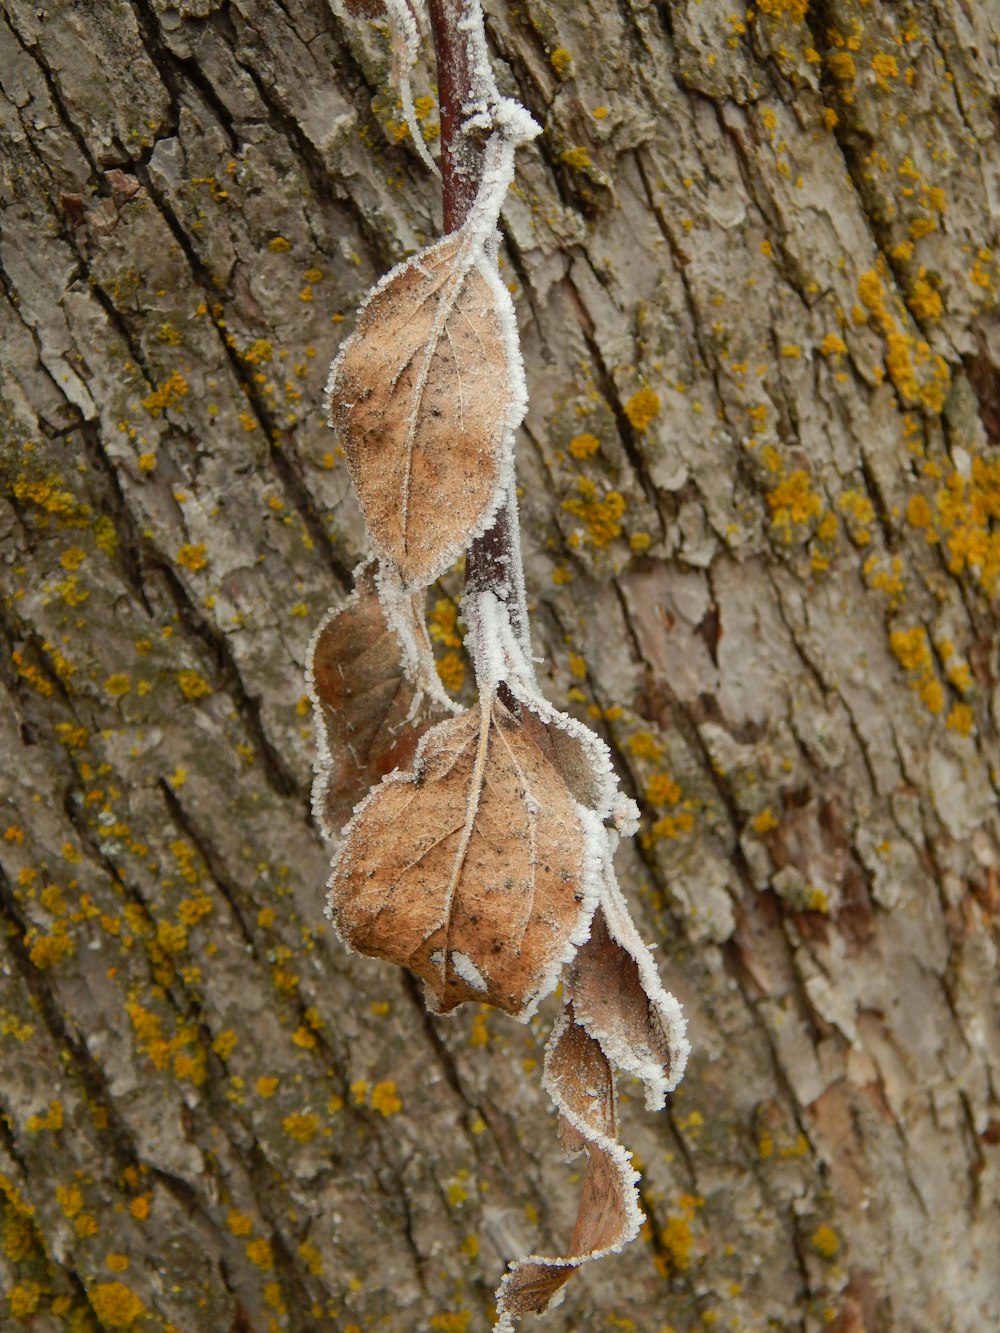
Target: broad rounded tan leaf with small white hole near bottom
<point>470,870</point>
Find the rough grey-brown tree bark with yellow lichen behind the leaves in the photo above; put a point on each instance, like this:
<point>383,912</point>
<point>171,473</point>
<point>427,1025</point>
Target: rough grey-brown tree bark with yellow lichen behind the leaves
<point>757,274</point>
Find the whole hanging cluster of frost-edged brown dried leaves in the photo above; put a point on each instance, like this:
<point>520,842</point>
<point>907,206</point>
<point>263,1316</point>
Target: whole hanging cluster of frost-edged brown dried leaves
<point>475,847</point>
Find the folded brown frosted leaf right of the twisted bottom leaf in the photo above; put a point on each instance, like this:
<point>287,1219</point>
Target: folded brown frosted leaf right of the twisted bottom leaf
<point>619,1000</point>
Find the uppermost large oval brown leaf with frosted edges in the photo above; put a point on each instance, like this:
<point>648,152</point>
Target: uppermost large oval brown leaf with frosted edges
<point>425,397</point>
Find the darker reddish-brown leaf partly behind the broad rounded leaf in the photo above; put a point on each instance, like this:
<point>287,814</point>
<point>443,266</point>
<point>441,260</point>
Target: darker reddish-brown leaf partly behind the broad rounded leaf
<point>370,711</point>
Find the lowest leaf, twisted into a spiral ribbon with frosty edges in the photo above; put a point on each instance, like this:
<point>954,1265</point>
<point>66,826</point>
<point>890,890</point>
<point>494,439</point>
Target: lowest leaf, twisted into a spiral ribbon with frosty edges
<point>582,1084</point>
